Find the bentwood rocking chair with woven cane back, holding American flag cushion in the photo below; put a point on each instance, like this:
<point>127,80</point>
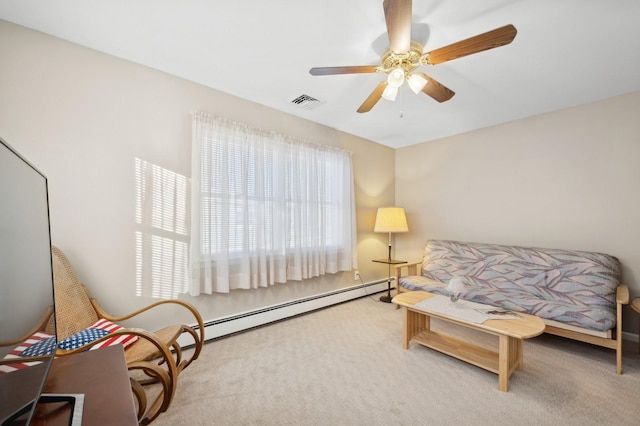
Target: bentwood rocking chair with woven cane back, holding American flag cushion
<point>153,358</point>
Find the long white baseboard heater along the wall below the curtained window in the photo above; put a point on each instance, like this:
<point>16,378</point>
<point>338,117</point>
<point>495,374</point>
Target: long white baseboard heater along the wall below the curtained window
<point>244,321</point>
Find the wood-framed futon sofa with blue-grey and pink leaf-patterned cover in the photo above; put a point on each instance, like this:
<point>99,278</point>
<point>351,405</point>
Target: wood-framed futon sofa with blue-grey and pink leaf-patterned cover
<point>578,294</point>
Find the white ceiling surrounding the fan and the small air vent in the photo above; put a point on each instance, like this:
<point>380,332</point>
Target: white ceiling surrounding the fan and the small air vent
<point>567,52</point>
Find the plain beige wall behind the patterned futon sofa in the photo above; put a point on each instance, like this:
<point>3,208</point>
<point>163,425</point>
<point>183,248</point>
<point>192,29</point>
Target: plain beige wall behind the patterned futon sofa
<point>567,179</point>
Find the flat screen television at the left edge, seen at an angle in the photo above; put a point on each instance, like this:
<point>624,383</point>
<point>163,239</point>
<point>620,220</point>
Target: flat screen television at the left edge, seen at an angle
<point>26,282</point>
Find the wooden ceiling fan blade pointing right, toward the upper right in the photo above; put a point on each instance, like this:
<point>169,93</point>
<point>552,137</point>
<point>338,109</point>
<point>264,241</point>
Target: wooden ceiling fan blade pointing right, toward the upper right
<point>489,40</point>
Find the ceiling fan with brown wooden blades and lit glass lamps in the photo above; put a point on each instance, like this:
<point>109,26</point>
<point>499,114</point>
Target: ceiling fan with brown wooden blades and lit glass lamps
<point>404,56</point>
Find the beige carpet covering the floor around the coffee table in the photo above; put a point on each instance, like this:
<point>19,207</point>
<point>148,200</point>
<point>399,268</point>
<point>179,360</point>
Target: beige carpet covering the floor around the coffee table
<point>344,365</point>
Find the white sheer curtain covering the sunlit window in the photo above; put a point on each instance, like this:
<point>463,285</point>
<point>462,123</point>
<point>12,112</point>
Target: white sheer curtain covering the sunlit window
<point>266,208</point>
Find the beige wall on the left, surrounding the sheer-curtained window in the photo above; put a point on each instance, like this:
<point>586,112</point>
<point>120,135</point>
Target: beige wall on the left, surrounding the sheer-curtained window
<point>83,117</point>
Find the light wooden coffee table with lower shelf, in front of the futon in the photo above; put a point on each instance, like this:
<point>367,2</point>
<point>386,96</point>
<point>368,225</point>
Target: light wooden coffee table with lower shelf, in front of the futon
<point>511,333</point>
